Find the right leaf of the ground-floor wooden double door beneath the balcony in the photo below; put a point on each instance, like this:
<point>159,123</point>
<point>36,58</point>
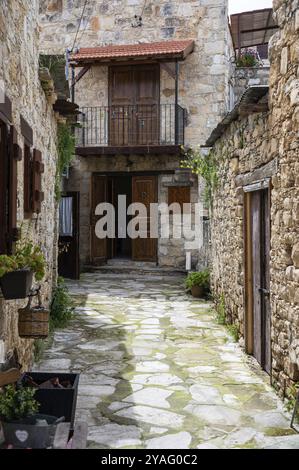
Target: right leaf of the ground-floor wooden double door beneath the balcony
<point>144,190</point>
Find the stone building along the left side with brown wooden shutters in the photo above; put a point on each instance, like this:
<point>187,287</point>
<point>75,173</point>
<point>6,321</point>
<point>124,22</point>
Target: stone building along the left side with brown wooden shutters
<point>28,126</point>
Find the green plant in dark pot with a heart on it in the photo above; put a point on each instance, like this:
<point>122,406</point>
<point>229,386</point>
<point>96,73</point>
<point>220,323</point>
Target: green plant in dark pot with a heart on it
<point>22,426</point>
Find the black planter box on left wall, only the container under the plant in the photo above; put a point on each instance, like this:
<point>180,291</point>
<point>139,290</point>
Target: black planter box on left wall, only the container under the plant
<point>17,284</point>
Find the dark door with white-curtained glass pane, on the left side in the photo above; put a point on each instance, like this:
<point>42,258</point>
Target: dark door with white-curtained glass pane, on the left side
<point>69,238</point>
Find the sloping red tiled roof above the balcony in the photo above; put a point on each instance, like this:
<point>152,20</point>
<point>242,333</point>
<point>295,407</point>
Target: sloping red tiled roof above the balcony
<point>165,49</point>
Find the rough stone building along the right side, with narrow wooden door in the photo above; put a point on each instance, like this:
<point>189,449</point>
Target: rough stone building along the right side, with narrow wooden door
<point>254,232</point>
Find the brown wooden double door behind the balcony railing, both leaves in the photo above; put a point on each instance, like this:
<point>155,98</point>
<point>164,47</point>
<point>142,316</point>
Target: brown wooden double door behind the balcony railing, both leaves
<point>134,96</point>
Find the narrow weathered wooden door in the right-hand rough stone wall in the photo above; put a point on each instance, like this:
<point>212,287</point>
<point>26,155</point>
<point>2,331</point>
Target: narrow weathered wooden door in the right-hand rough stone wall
<point>257,275</point>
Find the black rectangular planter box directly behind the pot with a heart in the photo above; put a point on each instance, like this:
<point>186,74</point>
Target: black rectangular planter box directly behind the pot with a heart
<point>57,401</point>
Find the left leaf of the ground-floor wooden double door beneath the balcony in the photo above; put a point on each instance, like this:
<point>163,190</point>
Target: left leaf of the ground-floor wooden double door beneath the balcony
<point>99,194</point>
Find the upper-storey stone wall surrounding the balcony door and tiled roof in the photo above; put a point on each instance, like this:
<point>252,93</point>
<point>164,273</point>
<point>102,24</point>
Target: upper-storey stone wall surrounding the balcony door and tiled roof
<point>203,88</point>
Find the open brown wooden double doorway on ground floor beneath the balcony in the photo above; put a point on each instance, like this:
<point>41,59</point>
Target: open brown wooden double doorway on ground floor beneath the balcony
<point>107,188</point>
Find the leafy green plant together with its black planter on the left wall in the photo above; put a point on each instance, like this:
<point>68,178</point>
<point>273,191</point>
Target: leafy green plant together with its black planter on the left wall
<point>16,271</point>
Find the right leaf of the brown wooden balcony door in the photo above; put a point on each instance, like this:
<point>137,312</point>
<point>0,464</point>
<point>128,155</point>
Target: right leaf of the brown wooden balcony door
<point>146,79</point>
